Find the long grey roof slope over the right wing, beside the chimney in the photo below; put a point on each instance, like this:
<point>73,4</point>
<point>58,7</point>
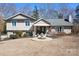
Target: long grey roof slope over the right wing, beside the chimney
<point>59,22</point>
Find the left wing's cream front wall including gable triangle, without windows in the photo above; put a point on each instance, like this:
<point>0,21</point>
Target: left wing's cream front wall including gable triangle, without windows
<point>20,24</point>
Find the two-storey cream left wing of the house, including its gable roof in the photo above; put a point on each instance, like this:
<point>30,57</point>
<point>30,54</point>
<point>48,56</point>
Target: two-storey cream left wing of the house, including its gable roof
<point>19,22</point>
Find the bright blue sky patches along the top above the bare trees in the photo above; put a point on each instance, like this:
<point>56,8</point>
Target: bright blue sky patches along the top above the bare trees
<point>53,5</point>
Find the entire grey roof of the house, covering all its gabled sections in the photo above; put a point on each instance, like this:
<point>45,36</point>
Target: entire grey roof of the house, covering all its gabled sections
<point>53,22</point>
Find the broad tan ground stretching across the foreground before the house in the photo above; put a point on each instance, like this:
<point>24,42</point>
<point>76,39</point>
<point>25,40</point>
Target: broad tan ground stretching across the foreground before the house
<point>67,45</point>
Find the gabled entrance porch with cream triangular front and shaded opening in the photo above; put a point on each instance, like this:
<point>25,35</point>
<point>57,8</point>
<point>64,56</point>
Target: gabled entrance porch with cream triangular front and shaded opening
<point>40,27</point>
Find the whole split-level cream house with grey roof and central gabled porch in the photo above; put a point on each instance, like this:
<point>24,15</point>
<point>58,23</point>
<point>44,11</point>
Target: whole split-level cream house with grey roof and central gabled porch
<point>25,23</point>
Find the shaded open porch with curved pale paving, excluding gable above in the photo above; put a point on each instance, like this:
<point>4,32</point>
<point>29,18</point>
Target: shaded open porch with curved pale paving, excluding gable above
<point>40,33</point>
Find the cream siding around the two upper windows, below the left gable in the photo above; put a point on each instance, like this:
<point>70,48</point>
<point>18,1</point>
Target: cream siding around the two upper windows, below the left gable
<point>19,26</point>
